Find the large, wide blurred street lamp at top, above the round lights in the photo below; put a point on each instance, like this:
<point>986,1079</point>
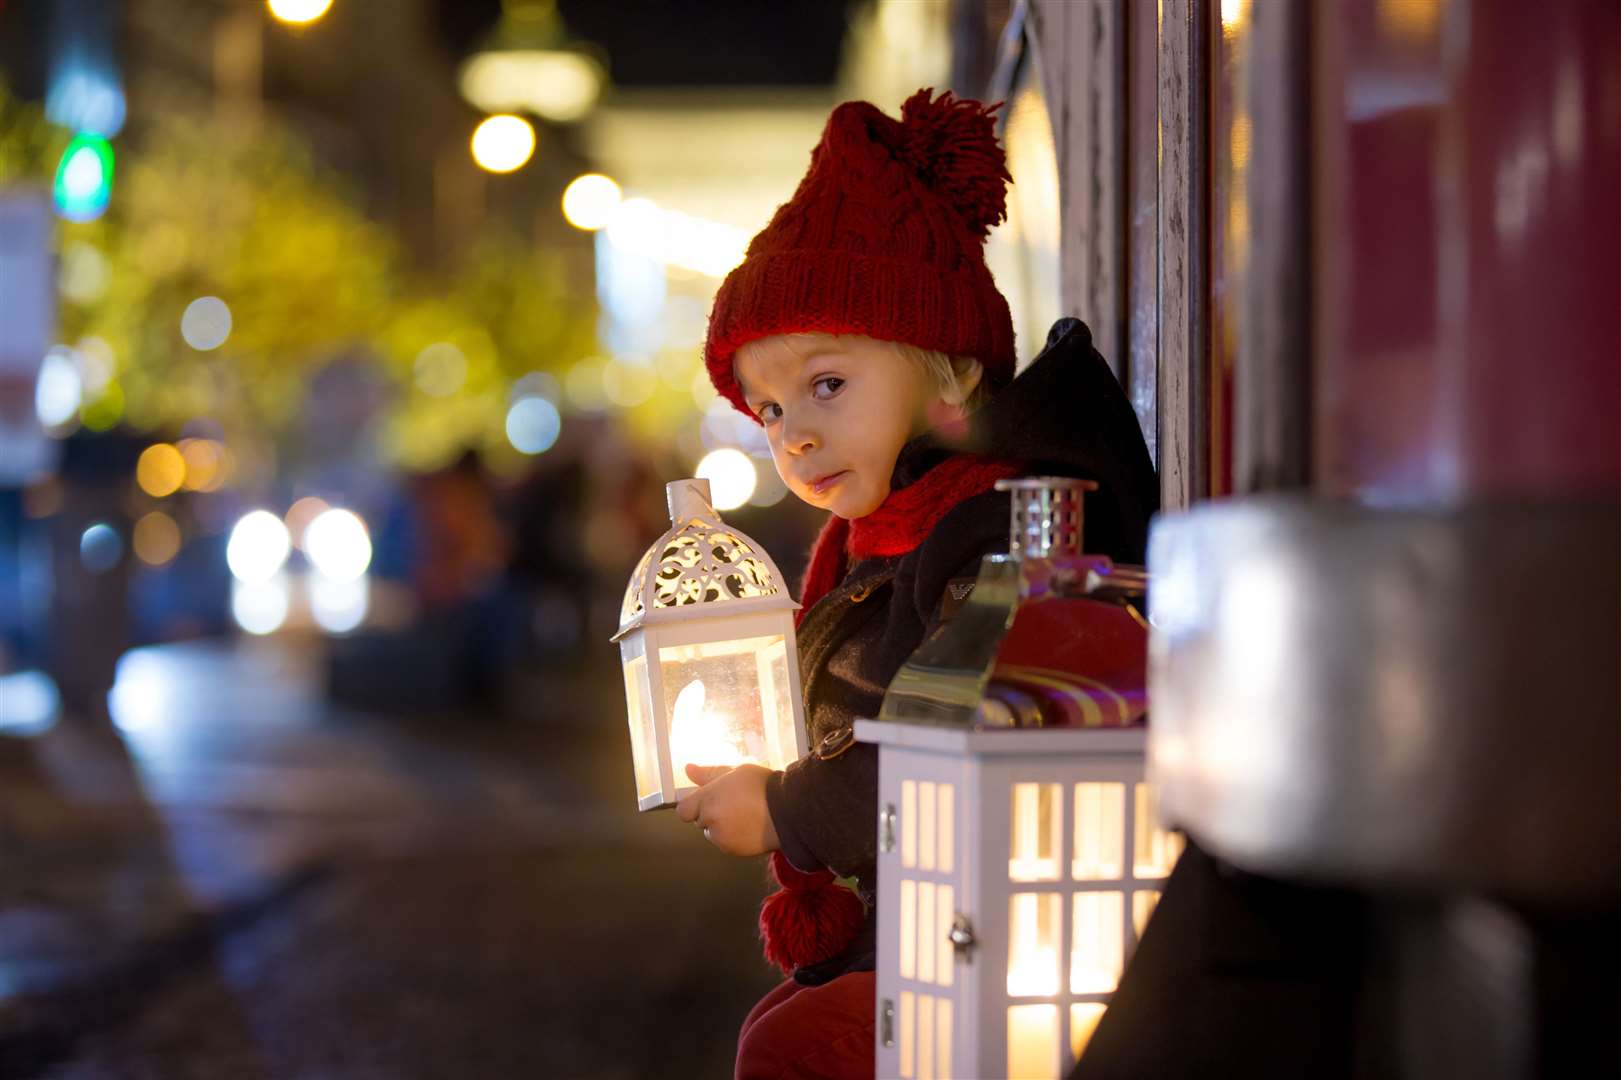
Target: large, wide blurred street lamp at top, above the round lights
<point>529,64</point>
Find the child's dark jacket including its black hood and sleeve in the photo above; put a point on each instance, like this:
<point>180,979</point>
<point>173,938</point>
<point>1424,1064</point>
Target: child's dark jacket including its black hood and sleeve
<point>1064,416</point>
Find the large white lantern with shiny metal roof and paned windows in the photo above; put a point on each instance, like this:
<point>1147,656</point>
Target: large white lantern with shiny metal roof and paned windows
<point>1017,864</point>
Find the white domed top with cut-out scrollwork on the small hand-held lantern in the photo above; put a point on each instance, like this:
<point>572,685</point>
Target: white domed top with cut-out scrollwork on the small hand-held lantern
<point>699,564</point>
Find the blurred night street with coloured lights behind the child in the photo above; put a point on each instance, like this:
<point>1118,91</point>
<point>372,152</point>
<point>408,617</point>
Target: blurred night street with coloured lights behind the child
<point>346,348</point>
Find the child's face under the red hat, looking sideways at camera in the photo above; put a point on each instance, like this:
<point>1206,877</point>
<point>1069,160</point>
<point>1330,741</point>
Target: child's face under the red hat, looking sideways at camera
<point>837,413</point>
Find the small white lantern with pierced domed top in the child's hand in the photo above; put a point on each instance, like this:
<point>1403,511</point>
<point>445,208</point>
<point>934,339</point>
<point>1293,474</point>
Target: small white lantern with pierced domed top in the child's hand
<point>708,646</point>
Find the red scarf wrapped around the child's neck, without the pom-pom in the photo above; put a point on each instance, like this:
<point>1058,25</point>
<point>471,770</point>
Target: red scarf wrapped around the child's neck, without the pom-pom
<point>900,523</point>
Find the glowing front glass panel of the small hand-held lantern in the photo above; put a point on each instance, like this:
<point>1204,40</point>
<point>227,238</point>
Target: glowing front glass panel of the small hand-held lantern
<point>729,703</point>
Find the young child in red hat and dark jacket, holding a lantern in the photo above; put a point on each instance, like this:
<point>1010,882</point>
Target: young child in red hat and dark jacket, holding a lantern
<point>868,338</point>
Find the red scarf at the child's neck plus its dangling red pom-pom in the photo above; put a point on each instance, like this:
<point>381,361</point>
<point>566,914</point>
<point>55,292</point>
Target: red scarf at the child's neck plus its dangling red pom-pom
<point>811,919</point>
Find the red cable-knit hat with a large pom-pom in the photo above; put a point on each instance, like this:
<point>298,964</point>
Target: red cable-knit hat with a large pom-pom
<point>886,238</point>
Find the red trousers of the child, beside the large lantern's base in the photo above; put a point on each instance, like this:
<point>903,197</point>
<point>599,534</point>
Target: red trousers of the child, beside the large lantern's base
<point>811,1032</point>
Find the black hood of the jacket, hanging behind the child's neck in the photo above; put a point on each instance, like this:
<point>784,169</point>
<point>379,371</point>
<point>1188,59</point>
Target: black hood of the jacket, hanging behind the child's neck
<point>1064,416</point>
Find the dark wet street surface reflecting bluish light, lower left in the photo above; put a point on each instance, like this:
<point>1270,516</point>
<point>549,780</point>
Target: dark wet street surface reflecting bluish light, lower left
<point>242,881</point>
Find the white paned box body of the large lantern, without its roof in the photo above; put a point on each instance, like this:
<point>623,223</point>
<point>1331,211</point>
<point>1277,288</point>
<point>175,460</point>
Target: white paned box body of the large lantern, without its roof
<point>1017,872</point>
